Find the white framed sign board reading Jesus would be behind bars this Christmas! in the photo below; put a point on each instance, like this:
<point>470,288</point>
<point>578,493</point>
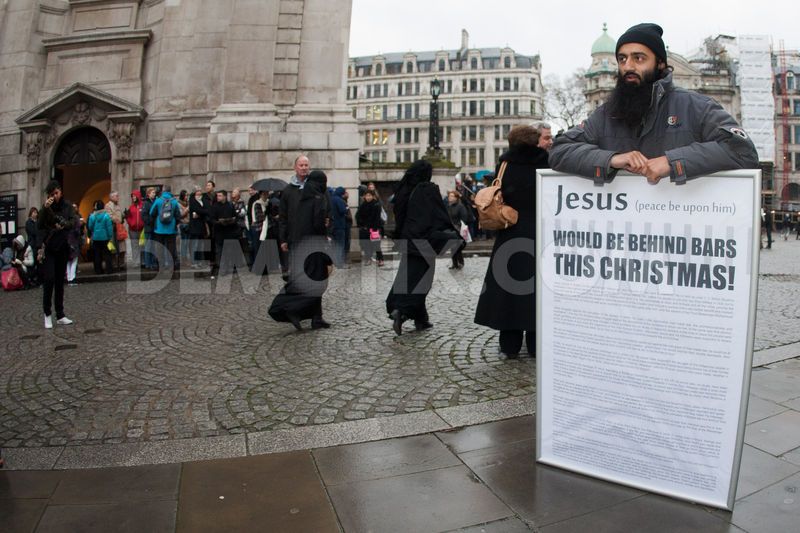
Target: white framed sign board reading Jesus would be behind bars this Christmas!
<point>646,315</point>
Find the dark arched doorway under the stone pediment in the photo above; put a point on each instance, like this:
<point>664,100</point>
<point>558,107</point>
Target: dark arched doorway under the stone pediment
<point>81,164</point>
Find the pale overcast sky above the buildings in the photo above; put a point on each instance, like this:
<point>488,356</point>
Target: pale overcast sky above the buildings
<point>562,32</point>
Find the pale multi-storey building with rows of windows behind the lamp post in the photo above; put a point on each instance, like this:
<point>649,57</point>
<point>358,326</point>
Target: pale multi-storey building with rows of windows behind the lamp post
<point>484,91</point>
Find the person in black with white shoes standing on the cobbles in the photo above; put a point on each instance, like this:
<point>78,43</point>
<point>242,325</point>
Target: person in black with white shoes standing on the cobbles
<point>56,219</point>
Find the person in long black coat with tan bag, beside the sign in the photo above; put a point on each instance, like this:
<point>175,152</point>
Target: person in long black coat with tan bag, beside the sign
<point>507,302</point>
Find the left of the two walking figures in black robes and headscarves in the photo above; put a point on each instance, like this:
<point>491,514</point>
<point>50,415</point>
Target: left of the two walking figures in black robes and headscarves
<point>309,260</point>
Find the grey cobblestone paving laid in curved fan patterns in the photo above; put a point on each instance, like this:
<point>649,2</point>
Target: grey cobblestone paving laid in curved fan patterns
<point>201,358</point>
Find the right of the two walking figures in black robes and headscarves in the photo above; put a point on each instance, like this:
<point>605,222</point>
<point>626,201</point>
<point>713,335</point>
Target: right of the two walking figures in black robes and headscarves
<point>422,230</point>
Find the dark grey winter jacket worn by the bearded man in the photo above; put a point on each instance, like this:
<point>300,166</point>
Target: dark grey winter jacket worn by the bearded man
<point>693,131</point>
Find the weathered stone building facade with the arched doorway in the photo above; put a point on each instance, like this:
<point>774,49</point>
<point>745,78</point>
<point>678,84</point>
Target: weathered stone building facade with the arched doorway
<point>118,94</point>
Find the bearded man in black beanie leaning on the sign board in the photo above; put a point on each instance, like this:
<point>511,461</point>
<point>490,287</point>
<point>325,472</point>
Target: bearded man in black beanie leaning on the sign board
<point>650,127</point>
